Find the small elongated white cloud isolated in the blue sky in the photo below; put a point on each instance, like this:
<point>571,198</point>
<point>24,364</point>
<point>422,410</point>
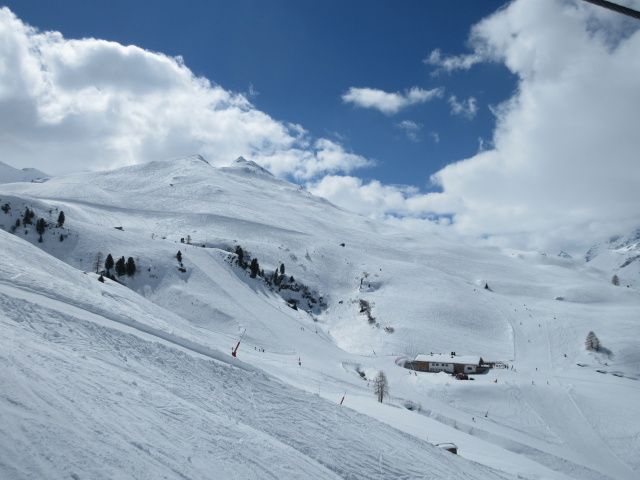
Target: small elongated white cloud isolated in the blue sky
<point>389,103</point>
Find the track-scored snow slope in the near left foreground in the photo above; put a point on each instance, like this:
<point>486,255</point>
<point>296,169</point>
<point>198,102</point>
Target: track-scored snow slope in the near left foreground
<point>215,409</point>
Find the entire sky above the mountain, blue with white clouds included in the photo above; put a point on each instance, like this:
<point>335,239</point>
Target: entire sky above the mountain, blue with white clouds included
<point>509,124</point>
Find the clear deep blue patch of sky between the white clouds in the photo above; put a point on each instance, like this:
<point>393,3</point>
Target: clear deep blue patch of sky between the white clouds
<point>301,57</point>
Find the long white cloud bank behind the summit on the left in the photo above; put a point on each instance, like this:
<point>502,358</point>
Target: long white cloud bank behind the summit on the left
<point>70,105</point>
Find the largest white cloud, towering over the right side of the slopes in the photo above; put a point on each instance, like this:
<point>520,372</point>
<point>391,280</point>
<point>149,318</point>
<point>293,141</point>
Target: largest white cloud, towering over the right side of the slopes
<point>561,171</point>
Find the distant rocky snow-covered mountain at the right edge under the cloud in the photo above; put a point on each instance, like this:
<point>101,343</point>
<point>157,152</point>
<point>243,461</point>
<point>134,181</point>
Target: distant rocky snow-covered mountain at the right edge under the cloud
<point>619,255</point>
